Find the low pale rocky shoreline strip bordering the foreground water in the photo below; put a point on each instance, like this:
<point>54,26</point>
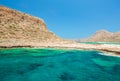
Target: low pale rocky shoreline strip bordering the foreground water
<point>111,50</point>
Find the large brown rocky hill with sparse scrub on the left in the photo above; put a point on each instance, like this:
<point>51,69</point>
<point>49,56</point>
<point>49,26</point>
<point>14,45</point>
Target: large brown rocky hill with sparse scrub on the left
<point>17,28</point>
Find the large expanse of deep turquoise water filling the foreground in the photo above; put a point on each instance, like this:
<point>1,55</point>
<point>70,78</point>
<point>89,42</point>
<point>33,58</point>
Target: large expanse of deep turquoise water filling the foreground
<point>28,64</point>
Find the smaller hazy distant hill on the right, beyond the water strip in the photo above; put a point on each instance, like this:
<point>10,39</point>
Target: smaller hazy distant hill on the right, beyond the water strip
<point>104,36</point>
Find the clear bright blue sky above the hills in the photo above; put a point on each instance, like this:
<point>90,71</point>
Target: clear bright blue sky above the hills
<point>72,19</point>
